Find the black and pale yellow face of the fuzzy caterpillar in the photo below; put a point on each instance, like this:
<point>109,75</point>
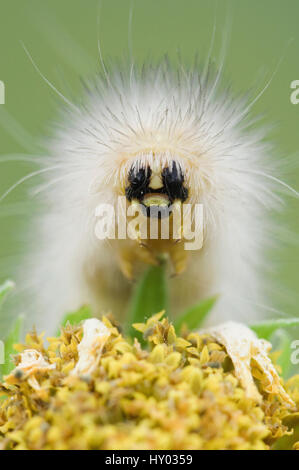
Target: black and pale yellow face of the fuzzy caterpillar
<point>156,189</point>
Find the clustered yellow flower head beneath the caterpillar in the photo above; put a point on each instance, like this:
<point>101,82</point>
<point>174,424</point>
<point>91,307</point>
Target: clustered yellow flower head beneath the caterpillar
<point>174,393</point>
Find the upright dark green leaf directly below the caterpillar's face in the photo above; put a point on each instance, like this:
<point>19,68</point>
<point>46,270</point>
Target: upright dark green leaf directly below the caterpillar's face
<point>150,297</point>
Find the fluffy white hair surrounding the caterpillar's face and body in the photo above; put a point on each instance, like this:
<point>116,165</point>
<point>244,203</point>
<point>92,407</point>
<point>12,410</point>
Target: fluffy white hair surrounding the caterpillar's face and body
<point>157,114</point>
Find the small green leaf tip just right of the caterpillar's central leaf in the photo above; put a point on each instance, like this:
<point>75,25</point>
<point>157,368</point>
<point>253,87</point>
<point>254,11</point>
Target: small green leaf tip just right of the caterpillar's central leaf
<point>195,315</point>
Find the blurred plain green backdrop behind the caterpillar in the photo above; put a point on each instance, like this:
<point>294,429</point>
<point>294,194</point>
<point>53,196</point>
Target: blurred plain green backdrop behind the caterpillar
<point>61,35</point>
